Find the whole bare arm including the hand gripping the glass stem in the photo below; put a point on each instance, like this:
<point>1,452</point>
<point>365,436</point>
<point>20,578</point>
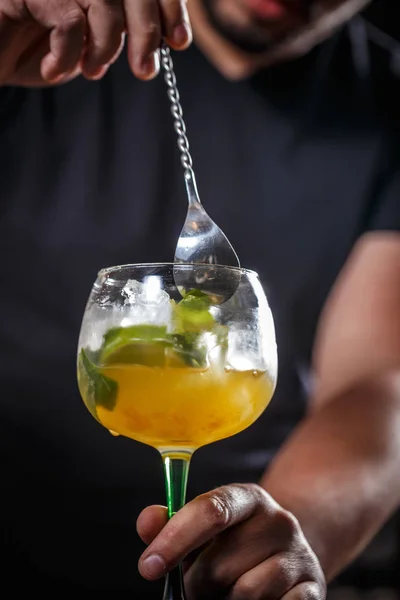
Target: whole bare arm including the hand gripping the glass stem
<point>335,481</point>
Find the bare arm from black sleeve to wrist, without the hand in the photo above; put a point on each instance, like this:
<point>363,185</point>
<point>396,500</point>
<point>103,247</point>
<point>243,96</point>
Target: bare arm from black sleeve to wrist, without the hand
<point>339,474</point>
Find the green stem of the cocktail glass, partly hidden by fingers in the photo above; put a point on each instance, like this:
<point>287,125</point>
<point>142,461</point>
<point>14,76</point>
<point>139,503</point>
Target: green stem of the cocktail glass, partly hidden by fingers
<point>176,470</point>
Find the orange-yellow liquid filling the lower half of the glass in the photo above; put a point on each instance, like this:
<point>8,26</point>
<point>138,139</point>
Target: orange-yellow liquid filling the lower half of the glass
<point>184,407</point>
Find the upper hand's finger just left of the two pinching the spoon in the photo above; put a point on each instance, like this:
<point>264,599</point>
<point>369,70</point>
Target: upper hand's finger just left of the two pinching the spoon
<point>106,25</point>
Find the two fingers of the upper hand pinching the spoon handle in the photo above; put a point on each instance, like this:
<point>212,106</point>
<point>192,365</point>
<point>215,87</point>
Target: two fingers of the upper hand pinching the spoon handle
<point>147,22</point>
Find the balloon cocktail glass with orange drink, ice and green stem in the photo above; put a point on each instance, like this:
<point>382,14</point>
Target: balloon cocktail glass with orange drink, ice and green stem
<point>176,369</point>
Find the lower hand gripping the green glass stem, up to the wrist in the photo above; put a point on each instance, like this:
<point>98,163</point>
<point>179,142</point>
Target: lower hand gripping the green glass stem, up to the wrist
<point>239,545</point>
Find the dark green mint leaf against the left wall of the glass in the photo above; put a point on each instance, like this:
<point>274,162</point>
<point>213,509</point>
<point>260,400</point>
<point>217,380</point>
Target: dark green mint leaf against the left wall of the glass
<point>100,390</point>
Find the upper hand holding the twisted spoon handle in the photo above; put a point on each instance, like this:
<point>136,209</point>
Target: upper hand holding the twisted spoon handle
<point>44,42</point>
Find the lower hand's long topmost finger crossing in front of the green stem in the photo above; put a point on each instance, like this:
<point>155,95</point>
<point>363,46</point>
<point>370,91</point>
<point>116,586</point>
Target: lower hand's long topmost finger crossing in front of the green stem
<point>197,523</point>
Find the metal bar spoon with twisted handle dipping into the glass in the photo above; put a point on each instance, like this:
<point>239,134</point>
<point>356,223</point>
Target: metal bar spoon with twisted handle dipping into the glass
<point>201,240</point>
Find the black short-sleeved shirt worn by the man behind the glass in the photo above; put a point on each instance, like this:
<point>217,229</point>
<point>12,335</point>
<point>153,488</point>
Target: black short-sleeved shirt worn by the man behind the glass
<point>294,165</point>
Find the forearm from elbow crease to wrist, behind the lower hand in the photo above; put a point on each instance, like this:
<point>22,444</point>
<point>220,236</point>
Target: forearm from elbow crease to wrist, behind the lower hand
<point>339,474</point>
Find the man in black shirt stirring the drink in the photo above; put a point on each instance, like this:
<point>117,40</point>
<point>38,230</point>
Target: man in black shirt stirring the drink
<point>296,149</point>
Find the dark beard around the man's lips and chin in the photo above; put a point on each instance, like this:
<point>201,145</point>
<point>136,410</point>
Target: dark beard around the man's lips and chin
<point>255,39</point>
